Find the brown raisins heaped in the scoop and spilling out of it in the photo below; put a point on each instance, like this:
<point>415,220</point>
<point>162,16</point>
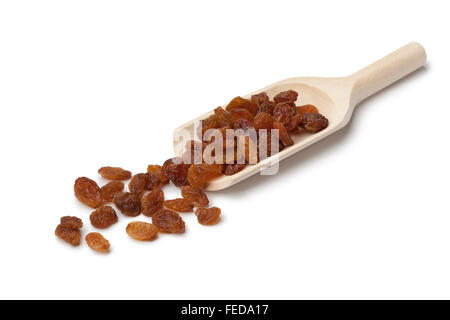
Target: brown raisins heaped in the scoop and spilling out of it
<point>250,121</point>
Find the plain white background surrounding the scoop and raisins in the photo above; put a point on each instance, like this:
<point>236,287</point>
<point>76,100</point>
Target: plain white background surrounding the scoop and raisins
<point>362,214</point>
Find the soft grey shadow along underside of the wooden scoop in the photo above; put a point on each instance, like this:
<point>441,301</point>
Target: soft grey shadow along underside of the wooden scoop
<point>319,149</point>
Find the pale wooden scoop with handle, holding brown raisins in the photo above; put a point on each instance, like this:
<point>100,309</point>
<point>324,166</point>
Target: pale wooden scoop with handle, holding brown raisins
<point>335,98</point>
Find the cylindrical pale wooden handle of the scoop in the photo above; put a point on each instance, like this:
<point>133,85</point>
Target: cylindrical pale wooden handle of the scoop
<point>387,70</point>
